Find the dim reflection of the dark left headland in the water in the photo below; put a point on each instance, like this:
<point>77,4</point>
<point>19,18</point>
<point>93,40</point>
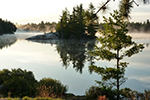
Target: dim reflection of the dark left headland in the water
<point>7,40</point>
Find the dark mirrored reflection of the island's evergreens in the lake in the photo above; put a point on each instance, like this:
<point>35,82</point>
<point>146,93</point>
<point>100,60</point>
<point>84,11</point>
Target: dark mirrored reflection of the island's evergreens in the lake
<point>73,52</point>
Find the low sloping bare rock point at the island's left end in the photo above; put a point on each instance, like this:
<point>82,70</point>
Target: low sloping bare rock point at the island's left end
<point>46,36</point>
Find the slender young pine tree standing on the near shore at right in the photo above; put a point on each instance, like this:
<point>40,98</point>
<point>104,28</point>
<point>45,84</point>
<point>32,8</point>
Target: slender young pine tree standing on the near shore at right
<point>115,44</point>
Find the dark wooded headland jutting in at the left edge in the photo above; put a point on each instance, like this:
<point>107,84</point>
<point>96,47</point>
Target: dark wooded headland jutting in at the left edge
<point>7,27</point>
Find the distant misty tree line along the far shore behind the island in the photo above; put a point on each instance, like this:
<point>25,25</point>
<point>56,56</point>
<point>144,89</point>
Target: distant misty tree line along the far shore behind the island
<point>52,26</point>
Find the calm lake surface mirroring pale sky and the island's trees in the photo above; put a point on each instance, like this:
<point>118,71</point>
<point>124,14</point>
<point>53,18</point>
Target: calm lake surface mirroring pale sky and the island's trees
<point>68,61</point>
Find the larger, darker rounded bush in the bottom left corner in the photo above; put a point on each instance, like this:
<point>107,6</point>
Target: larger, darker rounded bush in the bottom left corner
<point>17,83</point>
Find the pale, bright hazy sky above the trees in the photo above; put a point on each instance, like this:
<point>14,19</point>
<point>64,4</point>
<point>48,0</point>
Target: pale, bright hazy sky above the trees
<point>35,11</point>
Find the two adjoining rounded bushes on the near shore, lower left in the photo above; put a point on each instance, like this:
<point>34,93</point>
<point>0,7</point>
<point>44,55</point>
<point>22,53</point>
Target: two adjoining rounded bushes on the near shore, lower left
<point>20,83</point>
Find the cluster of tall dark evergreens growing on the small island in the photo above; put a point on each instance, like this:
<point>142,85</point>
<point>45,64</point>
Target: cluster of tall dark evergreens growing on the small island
<point>78,23</point>
